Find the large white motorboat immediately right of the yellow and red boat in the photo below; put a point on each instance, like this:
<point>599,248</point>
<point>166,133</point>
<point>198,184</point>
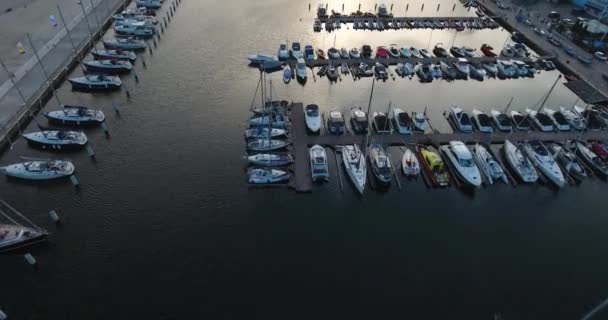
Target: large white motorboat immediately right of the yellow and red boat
<point>461,160</point>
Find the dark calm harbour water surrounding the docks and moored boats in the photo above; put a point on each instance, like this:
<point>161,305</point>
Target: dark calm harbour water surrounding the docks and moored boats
<point>165,228</point>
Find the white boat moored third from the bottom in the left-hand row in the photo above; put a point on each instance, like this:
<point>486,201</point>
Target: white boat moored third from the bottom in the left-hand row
<point>56,139</point>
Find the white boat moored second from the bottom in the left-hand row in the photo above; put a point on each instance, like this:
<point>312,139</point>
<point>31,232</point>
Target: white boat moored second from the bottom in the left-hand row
<point>39,169</point>
